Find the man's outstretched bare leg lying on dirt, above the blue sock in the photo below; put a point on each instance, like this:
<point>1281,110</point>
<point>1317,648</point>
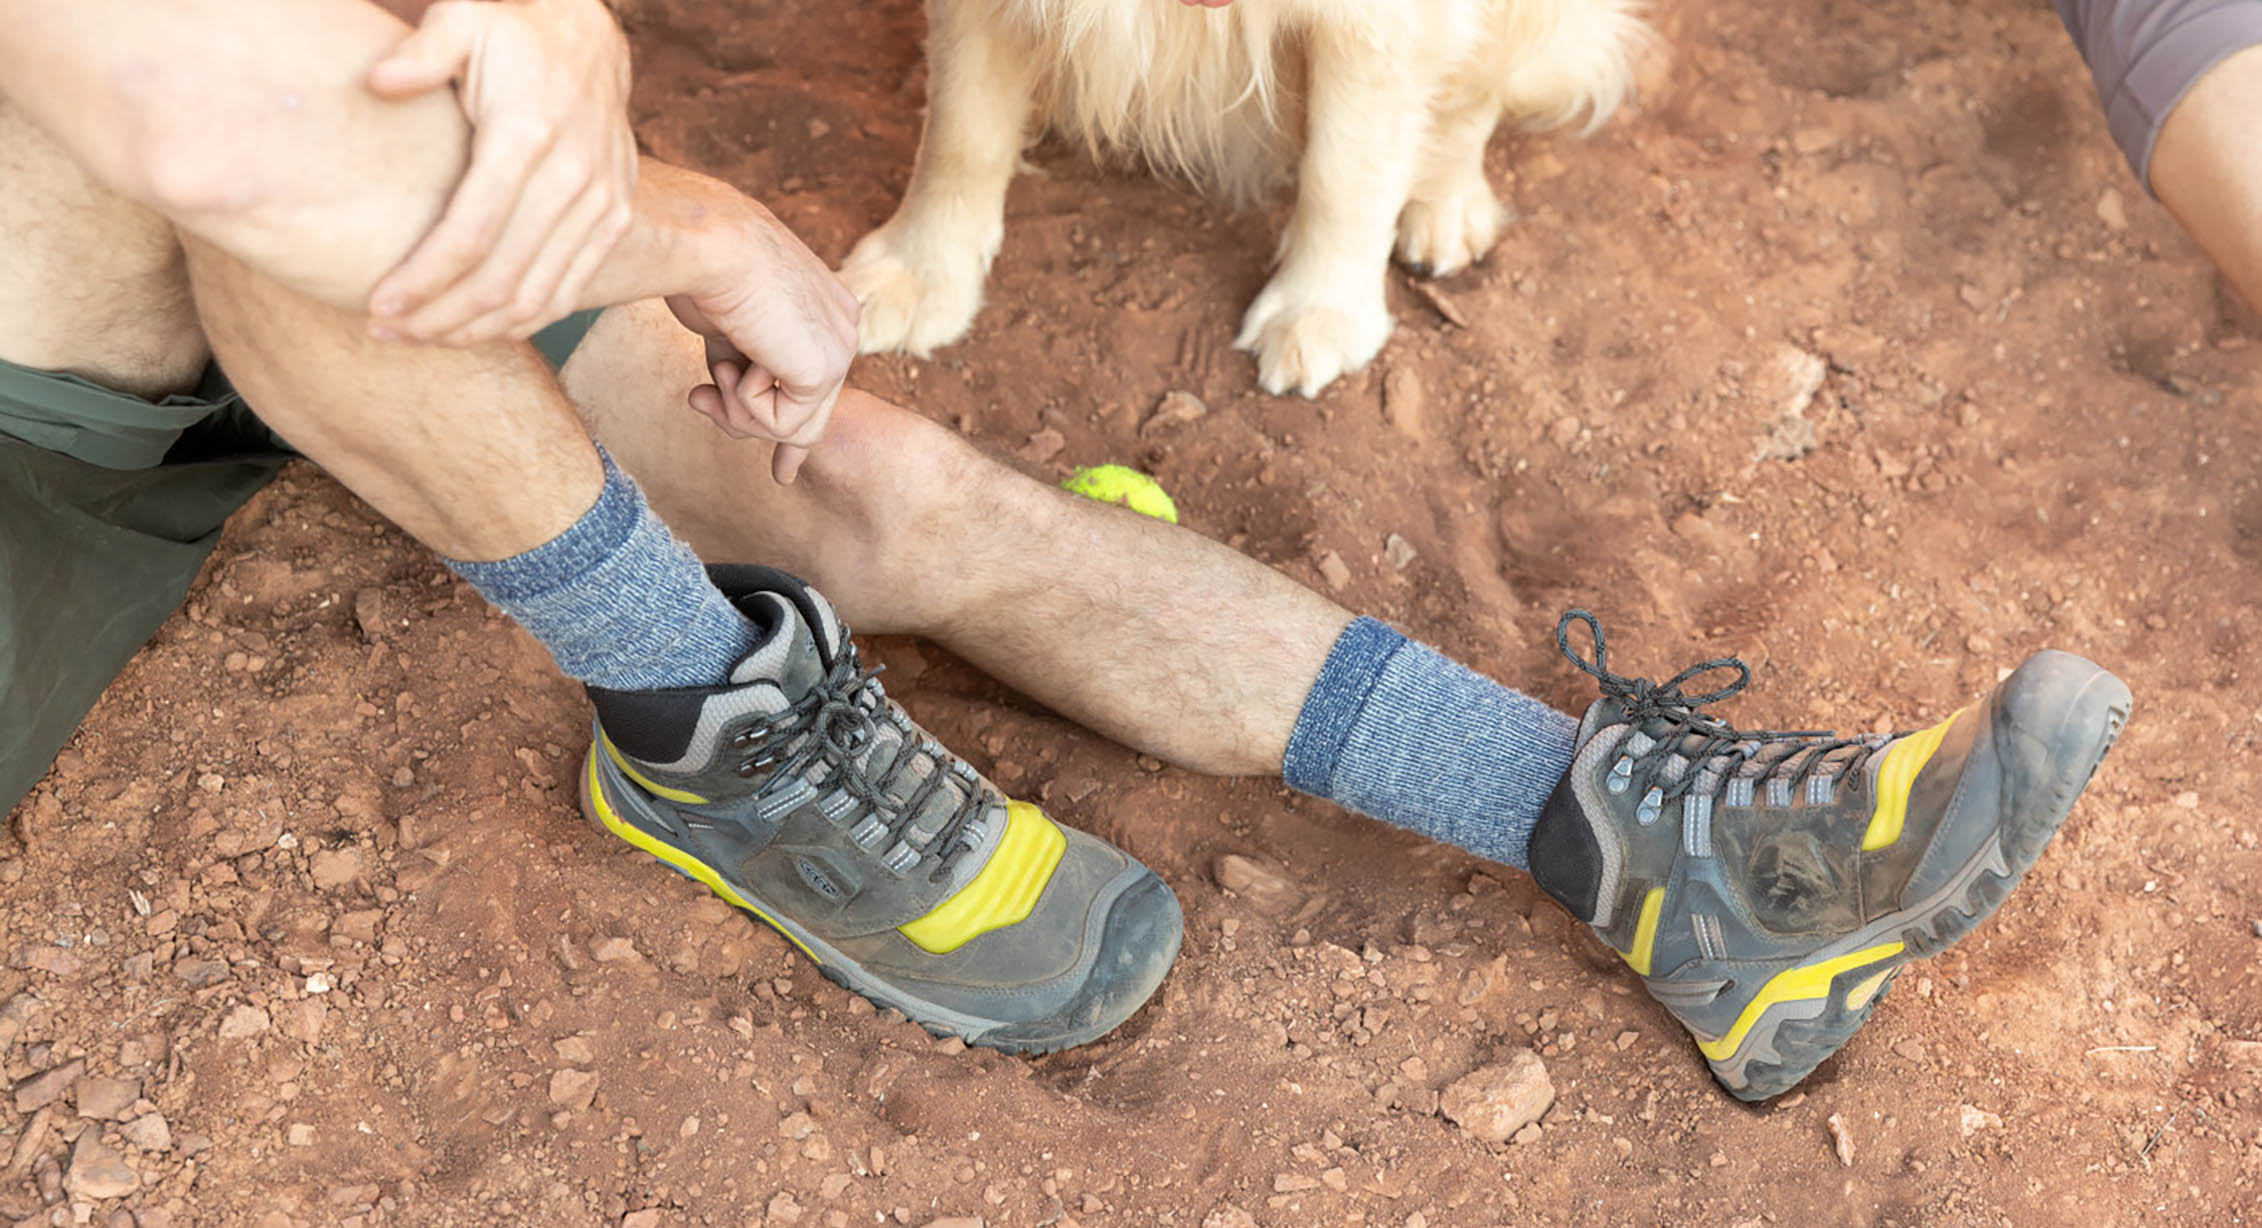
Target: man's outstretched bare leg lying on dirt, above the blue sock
<point>1139,630</point>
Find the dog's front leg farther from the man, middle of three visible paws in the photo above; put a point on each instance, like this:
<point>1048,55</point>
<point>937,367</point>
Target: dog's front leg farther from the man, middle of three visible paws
<point>1324,313</point>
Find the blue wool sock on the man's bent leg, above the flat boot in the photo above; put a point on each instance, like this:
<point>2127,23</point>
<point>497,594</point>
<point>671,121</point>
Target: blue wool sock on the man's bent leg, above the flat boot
<point>619,600</point>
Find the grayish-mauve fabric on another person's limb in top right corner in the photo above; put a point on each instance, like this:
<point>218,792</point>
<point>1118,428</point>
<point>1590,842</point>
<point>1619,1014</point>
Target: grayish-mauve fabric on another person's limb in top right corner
<point>2146,55</point>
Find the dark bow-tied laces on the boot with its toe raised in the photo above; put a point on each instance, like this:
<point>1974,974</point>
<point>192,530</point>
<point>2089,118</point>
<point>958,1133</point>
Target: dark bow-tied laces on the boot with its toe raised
<point>1709,747</point>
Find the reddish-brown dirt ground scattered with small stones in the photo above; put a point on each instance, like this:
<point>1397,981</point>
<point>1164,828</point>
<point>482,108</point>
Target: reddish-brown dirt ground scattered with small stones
<point>340,770</point>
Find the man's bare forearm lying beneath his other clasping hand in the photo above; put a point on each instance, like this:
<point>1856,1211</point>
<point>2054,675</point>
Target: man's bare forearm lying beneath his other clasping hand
<point>250,126</point>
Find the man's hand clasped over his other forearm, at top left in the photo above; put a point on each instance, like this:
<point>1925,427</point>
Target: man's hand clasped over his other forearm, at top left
<point>553,166</point>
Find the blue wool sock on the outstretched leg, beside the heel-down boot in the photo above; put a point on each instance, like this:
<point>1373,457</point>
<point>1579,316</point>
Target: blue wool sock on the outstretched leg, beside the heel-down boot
<point>1397,732</point>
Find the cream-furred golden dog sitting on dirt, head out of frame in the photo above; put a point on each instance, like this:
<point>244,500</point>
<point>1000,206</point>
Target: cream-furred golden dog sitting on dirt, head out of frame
<point>1381,110</point>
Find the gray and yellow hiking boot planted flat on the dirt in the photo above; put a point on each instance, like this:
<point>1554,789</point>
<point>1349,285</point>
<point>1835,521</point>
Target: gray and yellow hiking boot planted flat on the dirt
<point>802,795</point>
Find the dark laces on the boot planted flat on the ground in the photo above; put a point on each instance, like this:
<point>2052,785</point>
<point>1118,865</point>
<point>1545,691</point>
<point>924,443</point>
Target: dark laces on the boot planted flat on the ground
<point>831,727</point>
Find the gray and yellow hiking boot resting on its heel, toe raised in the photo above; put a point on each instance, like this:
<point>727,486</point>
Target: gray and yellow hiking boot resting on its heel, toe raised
<point>1770,885</point>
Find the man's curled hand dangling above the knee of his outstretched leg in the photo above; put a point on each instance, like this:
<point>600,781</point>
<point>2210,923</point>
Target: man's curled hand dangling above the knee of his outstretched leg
<point>782,334</point>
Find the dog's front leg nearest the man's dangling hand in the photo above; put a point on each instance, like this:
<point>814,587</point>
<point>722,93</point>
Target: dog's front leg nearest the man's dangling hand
<point>922,273</point>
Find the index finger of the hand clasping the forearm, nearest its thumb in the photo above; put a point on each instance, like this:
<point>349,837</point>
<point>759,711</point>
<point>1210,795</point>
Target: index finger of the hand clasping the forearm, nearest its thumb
<point>503,159</point>
